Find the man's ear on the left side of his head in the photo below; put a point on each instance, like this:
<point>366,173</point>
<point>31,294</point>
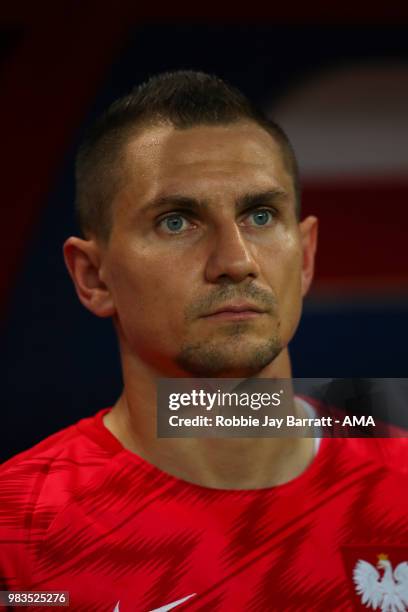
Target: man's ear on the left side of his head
<point>83,260</point>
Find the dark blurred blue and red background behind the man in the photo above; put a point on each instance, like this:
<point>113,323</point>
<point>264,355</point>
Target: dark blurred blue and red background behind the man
<point>337,83</point>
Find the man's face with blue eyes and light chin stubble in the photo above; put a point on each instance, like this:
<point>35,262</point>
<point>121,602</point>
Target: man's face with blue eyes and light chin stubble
<point>205,255</point>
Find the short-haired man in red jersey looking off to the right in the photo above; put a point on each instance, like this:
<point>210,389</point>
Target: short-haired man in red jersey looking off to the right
<point>188,201</point>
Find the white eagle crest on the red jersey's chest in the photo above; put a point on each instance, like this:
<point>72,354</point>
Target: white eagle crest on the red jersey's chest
<point>388,593</point>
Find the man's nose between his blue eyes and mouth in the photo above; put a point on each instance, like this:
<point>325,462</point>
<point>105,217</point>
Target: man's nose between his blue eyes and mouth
<point>230,257</point>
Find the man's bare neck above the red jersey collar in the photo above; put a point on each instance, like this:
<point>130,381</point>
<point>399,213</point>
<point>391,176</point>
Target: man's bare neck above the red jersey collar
<point>225,463</point>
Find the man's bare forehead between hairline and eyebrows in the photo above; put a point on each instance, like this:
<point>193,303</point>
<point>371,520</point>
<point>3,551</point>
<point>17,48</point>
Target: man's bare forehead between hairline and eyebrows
<point>161,160</point>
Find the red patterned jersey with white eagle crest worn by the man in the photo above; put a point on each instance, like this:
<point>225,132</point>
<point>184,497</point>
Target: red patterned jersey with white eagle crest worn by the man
<point>80,513</point>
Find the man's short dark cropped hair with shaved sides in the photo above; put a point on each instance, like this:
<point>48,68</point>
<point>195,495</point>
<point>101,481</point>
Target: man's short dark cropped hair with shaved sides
<point>183,99</point>
